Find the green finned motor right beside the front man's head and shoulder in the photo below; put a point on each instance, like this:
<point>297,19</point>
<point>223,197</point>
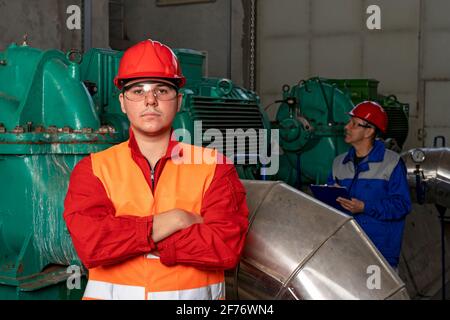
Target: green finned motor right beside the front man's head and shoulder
<point>219,114</point>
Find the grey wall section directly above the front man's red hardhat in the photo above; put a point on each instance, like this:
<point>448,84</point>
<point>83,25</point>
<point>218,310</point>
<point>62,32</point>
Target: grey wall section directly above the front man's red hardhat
<point>200,26</point>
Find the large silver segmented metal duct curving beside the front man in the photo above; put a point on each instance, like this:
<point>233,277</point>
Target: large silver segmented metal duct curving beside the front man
<point>299,248</point>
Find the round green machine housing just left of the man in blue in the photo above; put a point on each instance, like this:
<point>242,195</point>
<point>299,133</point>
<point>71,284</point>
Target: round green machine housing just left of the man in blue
<point>311,120</point>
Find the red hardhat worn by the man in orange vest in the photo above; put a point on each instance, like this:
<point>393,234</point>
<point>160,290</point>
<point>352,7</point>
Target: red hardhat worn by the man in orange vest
<point>149,59</point>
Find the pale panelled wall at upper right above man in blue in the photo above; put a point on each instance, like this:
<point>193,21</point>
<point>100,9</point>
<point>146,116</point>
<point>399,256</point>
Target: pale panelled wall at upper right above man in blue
<point>298,39</point>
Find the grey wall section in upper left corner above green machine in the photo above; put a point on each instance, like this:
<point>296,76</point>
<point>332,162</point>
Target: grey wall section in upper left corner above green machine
<point>45,24</point>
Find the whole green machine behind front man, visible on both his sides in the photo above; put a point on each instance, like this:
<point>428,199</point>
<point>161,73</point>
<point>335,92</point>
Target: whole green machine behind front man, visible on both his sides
<point>55,109</point>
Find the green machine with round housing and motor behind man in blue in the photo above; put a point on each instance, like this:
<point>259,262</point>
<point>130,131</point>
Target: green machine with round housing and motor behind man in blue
<point>311,119</point>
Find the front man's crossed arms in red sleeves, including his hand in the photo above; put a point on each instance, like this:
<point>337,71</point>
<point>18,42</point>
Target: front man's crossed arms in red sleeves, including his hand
<point>214,239</point>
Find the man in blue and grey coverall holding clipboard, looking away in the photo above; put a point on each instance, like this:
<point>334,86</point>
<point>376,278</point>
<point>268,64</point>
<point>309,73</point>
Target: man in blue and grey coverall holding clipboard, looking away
<point>376,180</point>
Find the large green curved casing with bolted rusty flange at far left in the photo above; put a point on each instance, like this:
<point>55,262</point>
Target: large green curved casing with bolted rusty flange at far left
<point>48,122</point>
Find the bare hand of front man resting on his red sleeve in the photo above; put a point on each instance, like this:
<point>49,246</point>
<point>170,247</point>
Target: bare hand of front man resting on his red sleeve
<point>169,222</point>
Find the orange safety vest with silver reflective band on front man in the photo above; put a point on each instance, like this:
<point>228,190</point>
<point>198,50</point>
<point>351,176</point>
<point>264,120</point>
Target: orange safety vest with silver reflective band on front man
<point>180,186</point>
